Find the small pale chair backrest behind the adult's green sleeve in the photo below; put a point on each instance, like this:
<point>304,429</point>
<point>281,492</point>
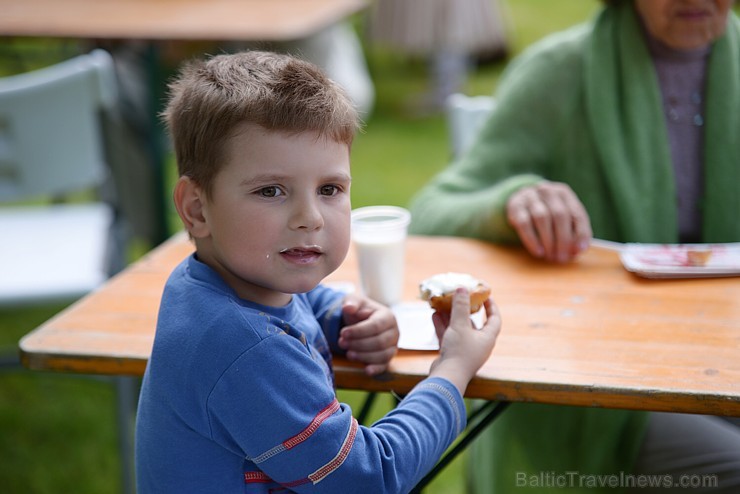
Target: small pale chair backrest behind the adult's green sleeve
<point>465,115</point>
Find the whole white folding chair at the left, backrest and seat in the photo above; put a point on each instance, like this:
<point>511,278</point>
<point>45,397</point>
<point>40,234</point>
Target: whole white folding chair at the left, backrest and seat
<point>51,146</point>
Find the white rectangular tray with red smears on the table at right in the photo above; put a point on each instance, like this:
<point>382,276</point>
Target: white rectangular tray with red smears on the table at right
<point>672,261</point>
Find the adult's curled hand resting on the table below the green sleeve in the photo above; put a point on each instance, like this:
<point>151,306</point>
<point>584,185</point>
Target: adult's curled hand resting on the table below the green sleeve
<point>550,221</point>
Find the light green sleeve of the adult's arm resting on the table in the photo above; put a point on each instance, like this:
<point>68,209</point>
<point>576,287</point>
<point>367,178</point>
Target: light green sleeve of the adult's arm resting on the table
<point>512,150</point>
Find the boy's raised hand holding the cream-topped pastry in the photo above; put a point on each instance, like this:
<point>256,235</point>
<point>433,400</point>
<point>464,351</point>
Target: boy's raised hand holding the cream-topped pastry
<point>464,348</point>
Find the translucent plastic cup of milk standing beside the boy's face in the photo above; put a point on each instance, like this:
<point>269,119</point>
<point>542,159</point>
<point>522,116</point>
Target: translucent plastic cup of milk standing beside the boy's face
<point>379,234</point>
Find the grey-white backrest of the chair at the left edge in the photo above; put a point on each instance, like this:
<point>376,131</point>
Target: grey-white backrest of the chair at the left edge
<point>51,115</point>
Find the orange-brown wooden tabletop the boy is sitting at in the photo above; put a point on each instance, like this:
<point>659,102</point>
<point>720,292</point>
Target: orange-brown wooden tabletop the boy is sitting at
<point>587,333</point>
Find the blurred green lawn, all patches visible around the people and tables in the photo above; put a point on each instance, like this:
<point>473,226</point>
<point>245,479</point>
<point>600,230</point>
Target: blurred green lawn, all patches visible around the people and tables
<point>58,432</point>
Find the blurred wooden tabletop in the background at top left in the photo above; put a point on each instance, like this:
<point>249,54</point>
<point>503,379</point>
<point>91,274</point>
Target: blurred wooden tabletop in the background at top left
<point>175,20</point>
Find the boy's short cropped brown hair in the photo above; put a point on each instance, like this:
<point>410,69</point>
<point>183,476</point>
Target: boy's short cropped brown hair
<point>211,97</point>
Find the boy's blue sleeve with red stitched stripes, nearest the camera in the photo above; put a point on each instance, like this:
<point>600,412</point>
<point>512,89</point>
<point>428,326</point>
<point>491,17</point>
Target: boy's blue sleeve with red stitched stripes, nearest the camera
<point>275,407</point>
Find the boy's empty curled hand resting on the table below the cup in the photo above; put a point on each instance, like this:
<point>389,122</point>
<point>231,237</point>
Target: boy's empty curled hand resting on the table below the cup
<point>370,334</point>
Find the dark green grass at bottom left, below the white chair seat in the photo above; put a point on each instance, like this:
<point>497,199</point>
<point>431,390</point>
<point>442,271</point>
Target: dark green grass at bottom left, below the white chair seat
<point>57,433</point>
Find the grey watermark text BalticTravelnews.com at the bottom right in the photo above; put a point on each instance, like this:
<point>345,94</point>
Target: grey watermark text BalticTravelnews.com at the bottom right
<point>571,479</point>
